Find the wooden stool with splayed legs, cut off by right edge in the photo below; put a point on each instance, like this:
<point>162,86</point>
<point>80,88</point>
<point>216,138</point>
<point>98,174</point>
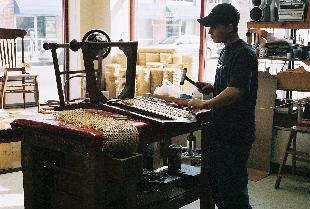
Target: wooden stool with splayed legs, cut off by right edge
<point>291,149</point>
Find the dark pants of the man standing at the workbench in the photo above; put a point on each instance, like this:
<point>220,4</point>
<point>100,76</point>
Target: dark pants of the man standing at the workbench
<point>228,177</point>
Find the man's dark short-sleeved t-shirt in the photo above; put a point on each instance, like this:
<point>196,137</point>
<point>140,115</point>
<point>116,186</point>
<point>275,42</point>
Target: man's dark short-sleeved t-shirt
<point>237,67</point>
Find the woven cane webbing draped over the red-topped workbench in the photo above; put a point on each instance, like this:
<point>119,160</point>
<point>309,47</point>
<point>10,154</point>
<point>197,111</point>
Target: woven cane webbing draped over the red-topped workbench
<point>119,136</point>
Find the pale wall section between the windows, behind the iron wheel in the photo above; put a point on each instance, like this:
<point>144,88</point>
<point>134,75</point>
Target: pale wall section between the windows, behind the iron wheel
<point>85,15</point>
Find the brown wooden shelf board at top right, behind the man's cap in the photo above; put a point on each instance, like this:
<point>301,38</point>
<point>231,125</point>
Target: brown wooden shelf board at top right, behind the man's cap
<point>283,25</point>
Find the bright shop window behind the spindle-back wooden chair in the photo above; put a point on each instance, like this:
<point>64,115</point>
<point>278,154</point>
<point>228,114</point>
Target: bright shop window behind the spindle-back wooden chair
<point>42,19</point>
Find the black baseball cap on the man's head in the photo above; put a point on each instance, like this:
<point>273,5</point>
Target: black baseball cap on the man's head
<point>221,14</point>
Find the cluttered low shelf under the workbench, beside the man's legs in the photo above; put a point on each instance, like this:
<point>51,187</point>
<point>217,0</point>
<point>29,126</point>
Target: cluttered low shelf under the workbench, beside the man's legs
<point>179,189</point>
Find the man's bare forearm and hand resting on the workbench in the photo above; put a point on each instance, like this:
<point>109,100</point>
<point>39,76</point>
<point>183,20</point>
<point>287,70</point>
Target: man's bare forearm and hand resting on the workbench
<point>228,96</point>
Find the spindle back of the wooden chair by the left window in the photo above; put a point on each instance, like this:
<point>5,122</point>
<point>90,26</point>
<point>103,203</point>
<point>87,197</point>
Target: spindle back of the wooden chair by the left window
<point>8,50</point>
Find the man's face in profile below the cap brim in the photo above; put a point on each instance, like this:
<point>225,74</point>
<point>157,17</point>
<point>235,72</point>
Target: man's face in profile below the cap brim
<point>220,33</point>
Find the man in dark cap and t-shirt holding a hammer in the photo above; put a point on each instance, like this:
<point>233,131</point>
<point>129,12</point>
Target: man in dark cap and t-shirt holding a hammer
<point>232,126</point>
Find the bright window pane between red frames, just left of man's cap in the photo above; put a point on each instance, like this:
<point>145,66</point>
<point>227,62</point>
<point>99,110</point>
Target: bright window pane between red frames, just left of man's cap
<point>170,24</point>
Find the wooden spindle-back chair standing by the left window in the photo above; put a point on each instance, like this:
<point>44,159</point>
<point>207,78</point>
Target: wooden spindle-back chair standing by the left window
<point>15,79</point>
